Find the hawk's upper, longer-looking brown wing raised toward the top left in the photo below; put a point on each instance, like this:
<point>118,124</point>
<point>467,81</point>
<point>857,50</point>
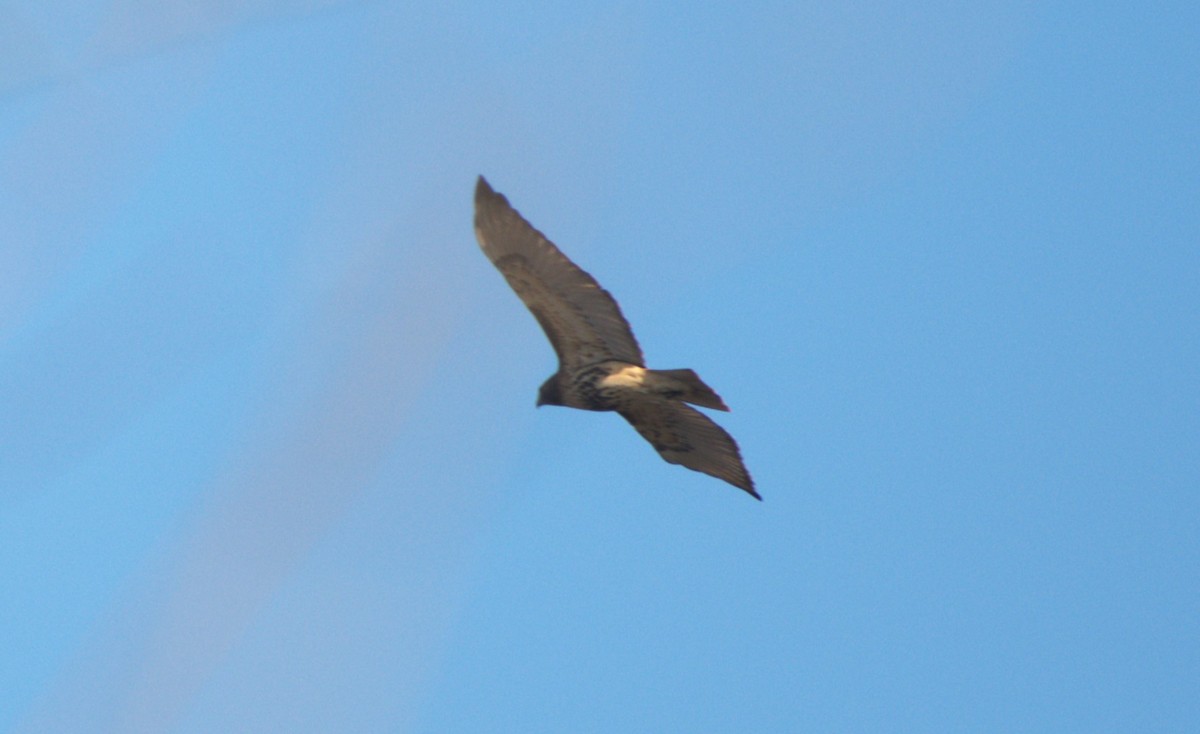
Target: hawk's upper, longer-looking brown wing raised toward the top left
<point>581,320</point>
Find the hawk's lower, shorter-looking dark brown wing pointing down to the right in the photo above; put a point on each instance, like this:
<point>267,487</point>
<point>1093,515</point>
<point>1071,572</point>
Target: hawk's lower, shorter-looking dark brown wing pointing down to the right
<point>685,436</point>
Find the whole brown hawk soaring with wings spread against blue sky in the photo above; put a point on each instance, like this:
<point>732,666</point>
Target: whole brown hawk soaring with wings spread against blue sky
<point>601,366</point>
